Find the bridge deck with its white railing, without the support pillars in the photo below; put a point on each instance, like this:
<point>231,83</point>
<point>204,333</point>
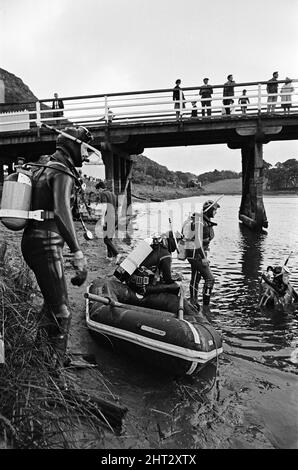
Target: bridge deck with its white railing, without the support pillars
<point>144,119</point>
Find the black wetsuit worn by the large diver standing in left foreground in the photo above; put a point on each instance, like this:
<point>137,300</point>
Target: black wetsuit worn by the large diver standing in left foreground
<point>42,242</point>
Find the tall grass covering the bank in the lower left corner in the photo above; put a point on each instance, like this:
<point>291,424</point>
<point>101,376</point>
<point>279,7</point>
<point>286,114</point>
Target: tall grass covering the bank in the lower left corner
<point>36,411</point>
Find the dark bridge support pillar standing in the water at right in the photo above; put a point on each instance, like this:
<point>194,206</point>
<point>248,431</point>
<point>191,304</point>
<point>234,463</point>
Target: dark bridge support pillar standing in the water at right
<point>252,211</point>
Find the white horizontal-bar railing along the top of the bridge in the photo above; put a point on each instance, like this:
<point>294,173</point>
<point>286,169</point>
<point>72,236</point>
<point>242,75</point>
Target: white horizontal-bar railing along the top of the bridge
<point>150,105</point>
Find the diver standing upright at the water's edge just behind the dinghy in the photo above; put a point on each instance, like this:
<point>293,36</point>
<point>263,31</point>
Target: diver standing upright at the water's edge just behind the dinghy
<point>196,255</point>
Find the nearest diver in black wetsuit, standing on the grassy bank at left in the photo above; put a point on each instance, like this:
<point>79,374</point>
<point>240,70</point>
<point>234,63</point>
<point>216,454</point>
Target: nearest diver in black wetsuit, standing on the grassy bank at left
<point>53,190</point>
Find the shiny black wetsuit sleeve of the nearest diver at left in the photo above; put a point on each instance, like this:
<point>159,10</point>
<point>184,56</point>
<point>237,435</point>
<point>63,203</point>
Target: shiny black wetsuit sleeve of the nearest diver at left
<point>62,190</point>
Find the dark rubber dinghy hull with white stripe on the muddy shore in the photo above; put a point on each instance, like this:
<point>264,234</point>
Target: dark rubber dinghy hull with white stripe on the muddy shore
<point>156,337</point>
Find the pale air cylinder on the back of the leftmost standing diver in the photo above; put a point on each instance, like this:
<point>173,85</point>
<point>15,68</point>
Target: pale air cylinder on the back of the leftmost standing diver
<point>16,199</point>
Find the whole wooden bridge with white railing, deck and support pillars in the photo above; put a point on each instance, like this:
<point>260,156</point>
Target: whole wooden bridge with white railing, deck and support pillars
<point>124,124</point>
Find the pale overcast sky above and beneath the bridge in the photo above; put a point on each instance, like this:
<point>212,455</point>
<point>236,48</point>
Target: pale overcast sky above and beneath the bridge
<point>99,46</point>
